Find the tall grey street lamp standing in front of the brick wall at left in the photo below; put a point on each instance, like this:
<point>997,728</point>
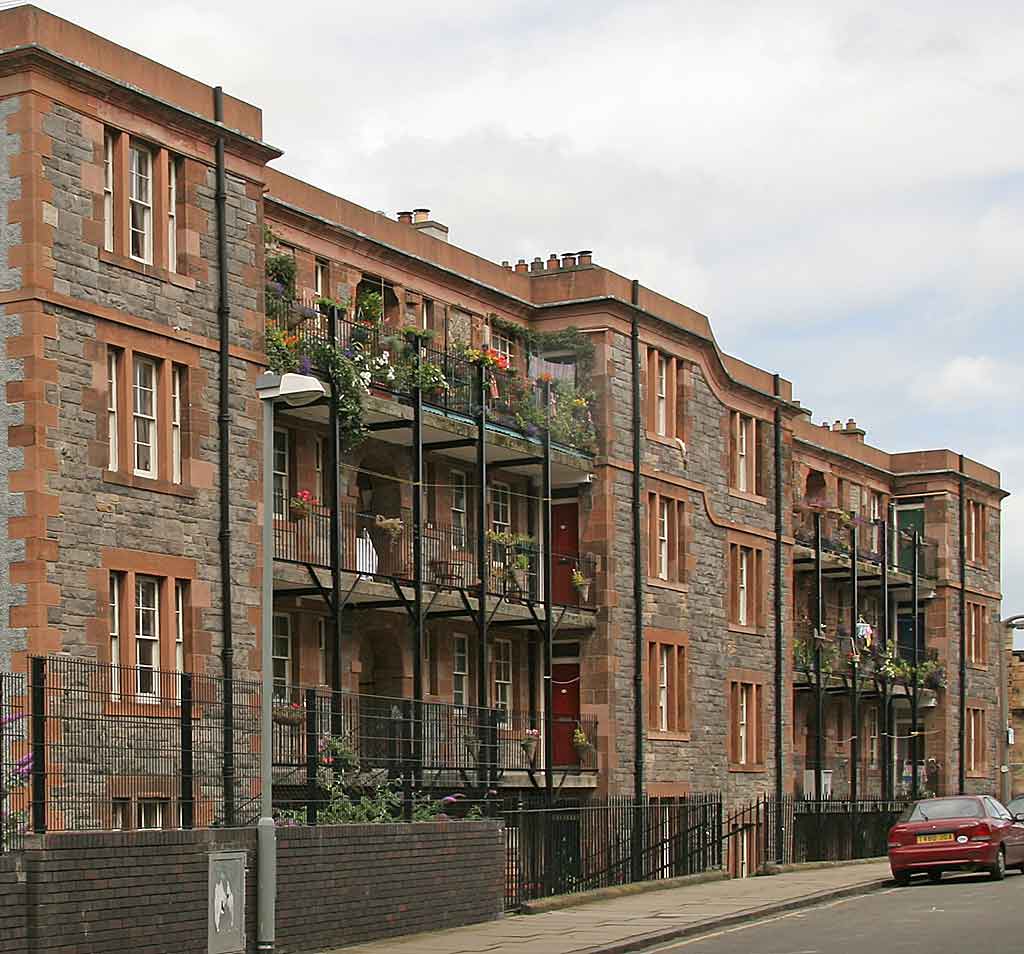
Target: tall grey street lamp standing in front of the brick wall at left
<point>293,391</point>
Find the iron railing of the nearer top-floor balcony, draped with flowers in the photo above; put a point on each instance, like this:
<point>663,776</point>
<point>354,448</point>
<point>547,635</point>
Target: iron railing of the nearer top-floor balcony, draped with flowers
<point>511,400</point>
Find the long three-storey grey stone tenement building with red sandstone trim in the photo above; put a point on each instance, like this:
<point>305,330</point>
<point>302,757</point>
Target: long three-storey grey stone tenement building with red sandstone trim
<point>540,531</point>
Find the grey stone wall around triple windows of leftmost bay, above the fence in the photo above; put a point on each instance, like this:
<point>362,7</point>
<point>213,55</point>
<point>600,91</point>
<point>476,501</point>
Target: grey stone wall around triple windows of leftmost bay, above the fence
<point>95,512</point>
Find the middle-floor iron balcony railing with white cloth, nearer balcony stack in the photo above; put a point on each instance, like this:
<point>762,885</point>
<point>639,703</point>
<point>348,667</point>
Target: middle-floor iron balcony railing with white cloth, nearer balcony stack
<point>379,546</point>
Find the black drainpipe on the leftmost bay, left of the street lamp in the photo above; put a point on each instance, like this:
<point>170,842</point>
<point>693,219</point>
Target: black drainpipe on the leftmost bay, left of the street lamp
<point>224,442</point>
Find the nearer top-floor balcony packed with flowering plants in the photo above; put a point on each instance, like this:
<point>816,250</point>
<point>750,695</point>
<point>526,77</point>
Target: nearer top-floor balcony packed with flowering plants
<point>302,336</point>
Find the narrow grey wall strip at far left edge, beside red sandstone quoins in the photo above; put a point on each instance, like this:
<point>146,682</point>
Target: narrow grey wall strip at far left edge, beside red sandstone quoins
<point>12,459</point>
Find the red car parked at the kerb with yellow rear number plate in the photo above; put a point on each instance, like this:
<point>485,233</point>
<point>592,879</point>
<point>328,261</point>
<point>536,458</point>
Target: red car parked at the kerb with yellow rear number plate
<point>960,834</point>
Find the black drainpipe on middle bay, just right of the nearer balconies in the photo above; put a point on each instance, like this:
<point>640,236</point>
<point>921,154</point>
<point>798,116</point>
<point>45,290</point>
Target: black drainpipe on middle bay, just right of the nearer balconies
<point>638,708</point>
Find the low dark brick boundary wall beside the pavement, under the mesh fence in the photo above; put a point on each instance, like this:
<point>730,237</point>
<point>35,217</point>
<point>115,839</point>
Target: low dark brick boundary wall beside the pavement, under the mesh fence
<point>108,893</point>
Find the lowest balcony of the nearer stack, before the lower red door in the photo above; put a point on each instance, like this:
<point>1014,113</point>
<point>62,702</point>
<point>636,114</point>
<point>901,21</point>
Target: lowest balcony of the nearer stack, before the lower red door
<point>445,745</point>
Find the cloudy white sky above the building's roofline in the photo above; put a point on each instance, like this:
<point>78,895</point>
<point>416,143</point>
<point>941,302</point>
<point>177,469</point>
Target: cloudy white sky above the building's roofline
<point>839,186</point>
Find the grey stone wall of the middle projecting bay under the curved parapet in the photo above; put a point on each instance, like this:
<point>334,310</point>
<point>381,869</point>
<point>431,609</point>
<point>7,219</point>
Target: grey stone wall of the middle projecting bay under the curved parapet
<point>701,610</point>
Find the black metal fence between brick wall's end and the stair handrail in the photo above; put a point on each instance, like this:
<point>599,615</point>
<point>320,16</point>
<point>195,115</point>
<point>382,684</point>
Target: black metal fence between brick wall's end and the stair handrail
<point>567,849</point>
